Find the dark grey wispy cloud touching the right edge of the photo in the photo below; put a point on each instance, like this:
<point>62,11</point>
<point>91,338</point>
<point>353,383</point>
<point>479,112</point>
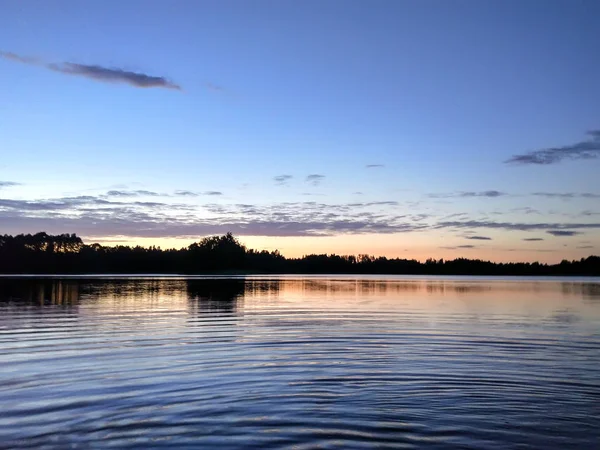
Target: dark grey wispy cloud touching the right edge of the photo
<point>587,149</point>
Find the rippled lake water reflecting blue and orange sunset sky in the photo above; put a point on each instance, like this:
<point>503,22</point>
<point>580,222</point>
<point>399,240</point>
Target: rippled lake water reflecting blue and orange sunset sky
<point>299,362</point>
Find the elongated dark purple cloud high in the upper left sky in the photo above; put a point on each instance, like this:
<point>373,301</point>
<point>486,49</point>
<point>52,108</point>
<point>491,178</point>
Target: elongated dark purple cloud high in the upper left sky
<point>97,73</point>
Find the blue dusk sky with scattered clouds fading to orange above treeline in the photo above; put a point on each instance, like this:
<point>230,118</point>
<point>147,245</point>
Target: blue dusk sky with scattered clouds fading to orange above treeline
<point>408,129</point>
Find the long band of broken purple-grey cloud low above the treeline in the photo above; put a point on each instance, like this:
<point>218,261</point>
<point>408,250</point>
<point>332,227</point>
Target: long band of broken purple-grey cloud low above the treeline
<point>99,216</point>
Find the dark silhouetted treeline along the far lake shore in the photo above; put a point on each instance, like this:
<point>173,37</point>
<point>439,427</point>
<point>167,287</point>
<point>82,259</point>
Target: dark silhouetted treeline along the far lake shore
<point>66,253</point>
